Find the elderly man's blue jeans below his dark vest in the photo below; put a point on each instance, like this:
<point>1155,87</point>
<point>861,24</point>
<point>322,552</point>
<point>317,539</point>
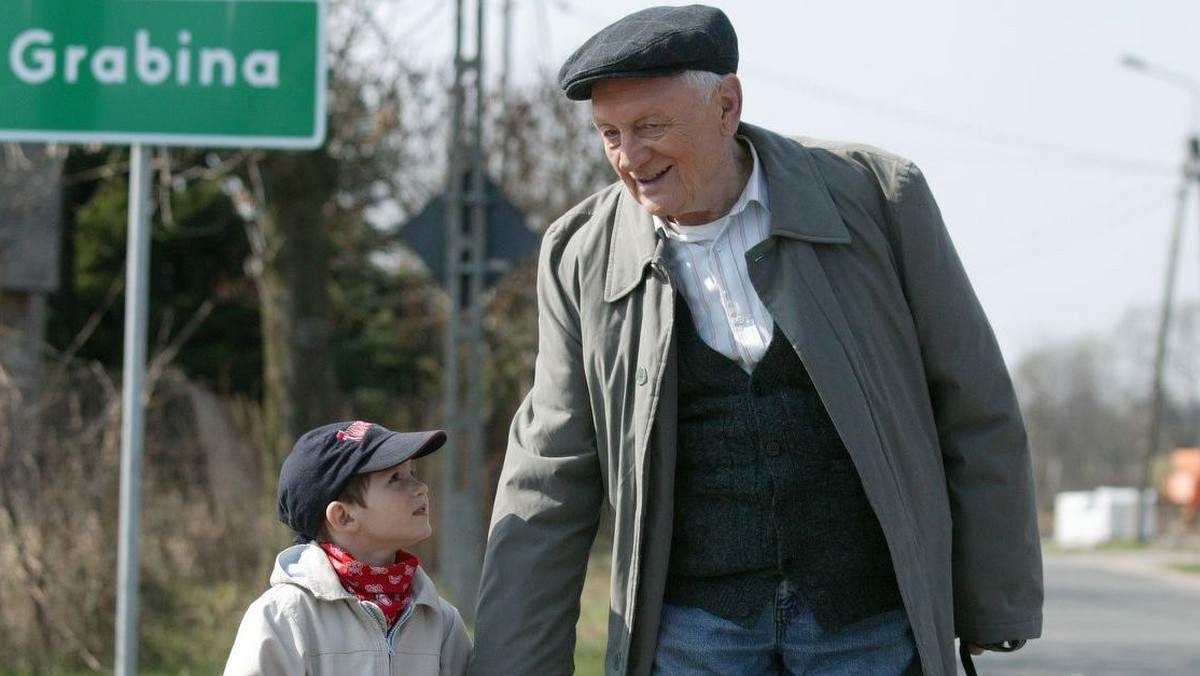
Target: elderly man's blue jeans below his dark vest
<point>785,642</point>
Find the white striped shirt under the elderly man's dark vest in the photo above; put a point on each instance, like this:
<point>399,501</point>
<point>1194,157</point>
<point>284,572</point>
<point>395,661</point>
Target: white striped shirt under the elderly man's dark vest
<point>710,267</point>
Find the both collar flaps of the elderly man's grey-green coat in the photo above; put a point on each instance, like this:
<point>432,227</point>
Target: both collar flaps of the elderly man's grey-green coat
<point>801,208</point>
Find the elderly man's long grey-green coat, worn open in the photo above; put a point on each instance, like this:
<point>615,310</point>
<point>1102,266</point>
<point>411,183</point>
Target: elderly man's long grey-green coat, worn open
<point>861,276</point>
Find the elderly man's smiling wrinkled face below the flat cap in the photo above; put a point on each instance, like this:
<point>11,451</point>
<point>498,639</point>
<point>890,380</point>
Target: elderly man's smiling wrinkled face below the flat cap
<point>667,140</point>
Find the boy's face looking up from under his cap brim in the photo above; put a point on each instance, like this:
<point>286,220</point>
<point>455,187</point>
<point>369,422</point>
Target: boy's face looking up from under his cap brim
<point>397,515</point>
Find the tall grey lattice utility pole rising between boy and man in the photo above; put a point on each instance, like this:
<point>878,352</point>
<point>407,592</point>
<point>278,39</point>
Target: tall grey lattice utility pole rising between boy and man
<point>461,553</point>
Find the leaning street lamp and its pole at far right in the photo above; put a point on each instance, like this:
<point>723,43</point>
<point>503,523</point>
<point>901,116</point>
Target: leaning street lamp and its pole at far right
<point>1190,176</point>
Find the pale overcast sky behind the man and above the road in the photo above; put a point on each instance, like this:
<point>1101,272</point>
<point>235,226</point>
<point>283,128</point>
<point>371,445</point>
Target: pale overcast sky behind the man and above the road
<point>1057,169</point>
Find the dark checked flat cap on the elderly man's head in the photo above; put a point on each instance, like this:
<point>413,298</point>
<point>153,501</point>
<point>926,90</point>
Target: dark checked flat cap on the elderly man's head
<point>658,41</point>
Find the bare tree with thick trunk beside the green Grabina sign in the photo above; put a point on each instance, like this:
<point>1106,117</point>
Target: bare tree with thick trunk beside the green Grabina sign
<point>307,213</point>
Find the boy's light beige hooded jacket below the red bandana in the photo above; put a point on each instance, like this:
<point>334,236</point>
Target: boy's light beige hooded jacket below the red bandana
<point>309,625</point>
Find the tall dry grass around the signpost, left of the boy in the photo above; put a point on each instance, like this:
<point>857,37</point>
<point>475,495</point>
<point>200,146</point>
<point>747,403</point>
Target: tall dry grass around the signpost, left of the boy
<point>201,553</point>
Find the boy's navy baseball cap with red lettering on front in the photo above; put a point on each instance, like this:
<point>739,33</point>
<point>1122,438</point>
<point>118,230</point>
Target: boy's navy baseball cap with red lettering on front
<point>325,460</point>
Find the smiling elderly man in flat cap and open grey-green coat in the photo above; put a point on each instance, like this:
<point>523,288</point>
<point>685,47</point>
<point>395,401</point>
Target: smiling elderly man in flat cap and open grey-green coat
<point>764,358</point>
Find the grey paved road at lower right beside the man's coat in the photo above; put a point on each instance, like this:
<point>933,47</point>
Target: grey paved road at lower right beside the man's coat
<point>1113,614</point>
